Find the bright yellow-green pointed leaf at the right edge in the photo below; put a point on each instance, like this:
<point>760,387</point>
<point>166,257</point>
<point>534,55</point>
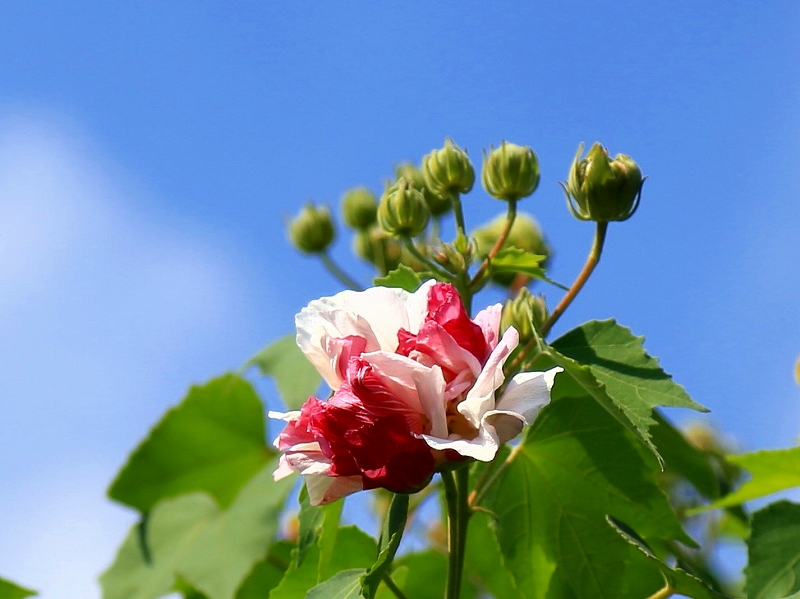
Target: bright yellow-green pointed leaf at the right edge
<point>771,470</point>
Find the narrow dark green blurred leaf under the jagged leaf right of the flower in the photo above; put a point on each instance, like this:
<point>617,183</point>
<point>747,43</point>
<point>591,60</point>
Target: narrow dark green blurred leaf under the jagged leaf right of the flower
<point>684,459</point>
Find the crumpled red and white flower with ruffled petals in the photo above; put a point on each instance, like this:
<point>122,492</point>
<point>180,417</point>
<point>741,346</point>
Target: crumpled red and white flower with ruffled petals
<point>414,381</point>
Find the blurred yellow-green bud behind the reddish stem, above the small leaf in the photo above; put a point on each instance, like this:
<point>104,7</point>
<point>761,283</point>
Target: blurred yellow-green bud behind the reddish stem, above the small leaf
<point>525,234</point>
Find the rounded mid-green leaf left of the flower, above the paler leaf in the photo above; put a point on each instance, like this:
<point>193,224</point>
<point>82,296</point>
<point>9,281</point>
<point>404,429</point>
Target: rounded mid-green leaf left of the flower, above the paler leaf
<point>213,441</point>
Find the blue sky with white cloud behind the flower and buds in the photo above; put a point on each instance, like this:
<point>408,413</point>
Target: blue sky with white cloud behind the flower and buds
<point>150,152</point>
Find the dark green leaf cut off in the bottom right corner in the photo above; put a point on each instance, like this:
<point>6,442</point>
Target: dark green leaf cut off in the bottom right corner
<point>773,568</point>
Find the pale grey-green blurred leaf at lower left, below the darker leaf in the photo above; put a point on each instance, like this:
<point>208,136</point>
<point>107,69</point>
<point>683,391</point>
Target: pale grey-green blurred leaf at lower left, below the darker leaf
<point>191,538</point>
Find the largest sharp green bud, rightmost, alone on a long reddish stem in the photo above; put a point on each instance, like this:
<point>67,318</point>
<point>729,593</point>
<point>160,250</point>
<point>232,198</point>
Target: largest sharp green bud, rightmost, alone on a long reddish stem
<point>601,189</point>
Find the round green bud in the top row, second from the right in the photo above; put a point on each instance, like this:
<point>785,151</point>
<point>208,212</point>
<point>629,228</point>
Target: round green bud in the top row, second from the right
<point>510,172</point>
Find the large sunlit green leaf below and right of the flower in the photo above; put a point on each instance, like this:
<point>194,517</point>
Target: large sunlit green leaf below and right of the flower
<point>576,465</point>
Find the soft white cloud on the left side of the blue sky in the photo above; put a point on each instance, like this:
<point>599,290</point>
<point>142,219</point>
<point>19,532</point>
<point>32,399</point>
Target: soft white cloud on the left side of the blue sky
<point>107,311</point>
